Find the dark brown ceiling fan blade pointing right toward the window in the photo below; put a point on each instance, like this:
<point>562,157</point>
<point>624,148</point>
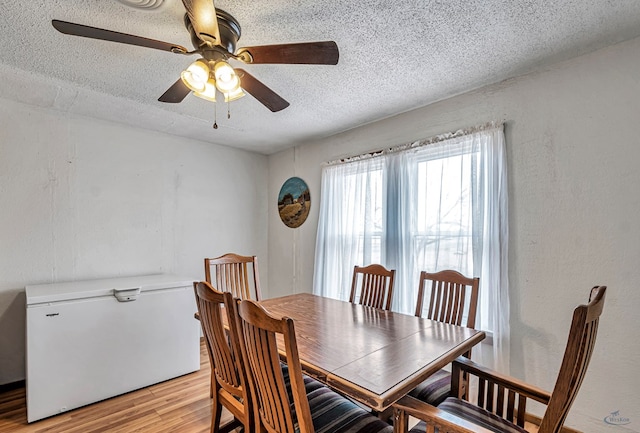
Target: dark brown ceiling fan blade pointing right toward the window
<point>306,53</point>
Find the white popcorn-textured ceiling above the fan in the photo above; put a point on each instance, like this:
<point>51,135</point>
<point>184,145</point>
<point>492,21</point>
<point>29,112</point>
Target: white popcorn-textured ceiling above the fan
<point>394,56</point>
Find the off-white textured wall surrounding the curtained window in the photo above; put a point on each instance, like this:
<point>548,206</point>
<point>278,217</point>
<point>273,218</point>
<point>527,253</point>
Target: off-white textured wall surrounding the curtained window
<point>573,151</point>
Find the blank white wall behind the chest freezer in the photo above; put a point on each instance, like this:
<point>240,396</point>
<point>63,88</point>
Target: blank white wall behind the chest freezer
<point>82,199</point>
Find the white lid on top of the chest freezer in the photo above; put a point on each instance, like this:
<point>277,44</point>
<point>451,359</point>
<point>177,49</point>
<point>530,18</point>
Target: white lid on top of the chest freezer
<point>56,292</point>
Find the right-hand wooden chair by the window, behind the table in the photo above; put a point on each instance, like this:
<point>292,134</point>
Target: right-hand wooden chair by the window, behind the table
<point>452,296</point>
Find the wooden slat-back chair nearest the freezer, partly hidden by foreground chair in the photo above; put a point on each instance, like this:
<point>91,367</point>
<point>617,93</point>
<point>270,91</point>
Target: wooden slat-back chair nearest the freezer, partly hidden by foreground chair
<point>228,379</point>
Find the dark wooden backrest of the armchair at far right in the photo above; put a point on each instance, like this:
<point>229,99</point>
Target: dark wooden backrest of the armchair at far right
<point>580,344</point>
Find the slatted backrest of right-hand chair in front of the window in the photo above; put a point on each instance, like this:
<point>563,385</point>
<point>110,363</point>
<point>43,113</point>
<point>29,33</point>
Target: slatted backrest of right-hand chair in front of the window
<point>452,297</point>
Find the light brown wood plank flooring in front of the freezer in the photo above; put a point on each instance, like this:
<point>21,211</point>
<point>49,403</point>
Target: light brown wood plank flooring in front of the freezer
<point>177,405</point>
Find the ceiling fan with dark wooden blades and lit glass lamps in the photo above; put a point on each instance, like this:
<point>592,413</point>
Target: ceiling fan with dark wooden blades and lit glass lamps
<point>214,35</point>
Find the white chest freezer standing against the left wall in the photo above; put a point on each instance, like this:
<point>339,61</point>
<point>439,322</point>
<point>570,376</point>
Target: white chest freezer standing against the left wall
<point>91,340</point>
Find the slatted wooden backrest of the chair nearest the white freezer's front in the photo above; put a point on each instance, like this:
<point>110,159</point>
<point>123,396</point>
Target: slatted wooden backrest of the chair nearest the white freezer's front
<point>224,348</point>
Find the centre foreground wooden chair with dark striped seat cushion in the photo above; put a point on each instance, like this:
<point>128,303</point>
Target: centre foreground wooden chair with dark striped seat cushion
<point>277,390</point>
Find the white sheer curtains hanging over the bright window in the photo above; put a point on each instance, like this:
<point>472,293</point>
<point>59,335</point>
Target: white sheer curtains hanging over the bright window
<point>426,207</point>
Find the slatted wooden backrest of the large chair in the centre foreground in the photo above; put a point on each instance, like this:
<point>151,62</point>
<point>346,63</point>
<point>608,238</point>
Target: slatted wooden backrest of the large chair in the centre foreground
<point>262,363</point>
